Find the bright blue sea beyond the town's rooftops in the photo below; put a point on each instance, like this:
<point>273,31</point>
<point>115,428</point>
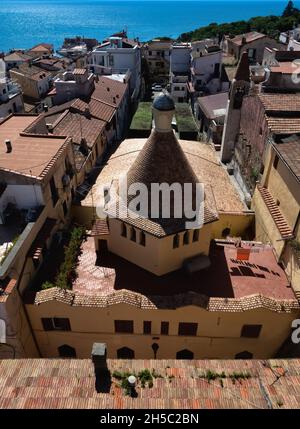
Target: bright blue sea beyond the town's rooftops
<point>24,23</point>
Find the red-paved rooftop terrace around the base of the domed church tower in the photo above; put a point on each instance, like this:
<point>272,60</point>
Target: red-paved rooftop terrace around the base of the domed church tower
<point>227,277</point>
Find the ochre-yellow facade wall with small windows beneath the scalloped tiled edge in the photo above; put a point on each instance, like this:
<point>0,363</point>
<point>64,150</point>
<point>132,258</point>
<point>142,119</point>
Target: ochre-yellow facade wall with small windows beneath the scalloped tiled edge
<point>218,334</point>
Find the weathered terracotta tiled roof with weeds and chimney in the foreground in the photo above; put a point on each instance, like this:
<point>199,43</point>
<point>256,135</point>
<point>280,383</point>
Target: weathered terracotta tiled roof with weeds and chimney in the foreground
<point>183,384</point>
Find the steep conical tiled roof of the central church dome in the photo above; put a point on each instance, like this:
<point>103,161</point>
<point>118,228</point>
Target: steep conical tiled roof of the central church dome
<point>162,160</point>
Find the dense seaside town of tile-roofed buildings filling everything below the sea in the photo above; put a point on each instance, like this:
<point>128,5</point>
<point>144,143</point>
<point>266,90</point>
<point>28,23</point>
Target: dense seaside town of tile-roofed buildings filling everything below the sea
<point>114,294</point>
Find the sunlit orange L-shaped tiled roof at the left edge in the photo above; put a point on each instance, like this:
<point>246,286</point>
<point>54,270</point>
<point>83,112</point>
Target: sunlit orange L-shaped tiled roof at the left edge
<point>33,156</point>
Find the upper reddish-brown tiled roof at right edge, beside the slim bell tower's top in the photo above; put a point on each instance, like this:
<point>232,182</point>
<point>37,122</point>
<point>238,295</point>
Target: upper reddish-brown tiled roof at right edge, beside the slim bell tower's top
<point>280,102</point>
